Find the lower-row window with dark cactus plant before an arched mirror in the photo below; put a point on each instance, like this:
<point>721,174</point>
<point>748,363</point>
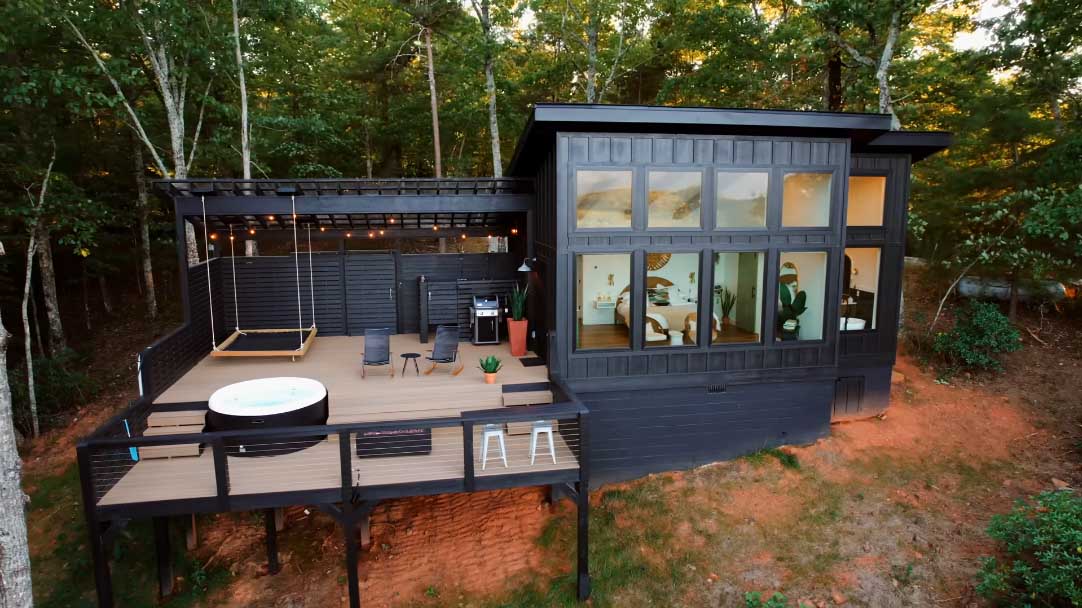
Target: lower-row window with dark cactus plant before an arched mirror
<point>802,289</point>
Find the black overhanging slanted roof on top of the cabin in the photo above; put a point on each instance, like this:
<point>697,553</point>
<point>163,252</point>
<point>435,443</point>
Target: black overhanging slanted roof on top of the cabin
<point>862,128</point>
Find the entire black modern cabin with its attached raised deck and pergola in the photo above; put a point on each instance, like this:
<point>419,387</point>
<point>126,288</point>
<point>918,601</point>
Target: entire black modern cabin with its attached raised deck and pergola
<point>703,284</point>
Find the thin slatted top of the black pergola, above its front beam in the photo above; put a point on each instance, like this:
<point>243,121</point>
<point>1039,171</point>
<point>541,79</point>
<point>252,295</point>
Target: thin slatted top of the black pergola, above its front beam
<point>427,187</point>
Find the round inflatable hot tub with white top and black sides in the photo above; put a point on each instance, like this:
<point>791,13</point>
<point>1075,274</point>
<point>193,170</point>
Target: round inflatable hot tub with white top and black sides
<point>268,404</point>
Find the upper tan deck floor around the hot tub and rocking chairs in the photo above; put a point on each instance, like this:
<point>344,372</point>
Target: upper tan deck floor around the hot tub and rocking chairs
<point>336,362</point>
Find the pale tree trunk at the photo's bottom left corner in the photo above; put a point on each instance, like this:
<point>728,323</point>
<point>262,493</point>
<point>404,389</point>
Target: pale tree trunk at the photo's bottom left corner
<point>16,588</point>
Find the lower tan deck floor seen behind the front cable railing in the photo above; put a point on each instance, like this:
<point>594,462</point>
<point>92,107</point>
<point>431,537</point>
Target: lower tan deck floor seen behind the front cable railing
<point>318,469</point>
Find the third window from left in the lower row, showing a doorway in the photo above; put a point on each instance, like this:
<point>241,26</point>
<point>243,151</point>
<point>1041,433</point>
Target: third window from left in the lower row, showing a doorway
<point>737,298</point>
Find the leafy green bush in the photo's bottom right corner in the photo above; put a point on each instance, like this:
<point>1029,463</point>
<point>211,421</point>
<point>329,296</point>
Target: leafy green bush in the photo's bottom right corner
<point>1043,554</point>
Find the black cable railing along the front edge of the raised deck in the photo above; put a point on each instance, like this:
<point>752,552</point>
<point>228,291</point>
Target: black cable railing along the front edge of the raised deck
<point>232,470</point>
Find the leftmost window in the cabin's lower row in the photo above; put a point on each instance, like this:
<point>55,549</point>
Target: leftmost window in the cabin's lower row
<point>603,301</point>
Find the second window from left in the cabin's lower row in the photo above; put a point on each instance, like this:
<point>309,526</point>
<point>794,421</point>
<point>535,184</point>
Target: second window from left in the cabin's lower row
<point>671,300</point>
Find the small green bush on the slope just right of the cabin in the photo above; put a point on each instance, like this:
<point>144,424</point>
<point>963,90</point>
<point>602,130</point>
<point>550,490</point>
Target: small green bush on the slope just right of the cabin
<point>980,336</point>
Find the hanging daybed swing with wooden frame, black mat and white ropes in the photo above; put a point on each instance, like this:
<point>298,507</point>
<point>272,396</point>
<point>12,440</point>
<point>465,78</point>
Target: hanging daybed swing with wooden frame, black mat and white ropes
<point>289,342</point>
